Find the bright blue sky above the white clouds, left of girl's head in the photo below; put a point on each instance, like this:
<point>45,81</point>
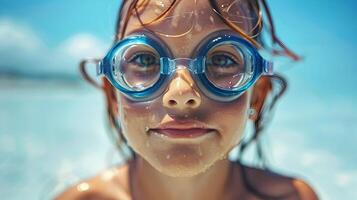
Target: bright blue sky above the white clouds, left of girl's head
<point>55,21</point>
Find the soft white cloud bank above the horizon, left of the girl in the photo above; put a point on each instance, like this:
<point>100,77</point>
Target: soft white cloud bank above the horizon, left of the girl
<point>22,50</point>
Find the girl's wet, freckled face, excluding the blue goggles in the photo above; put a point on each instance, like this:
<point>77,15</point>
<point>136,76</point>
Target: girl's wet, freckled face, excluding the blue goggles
<point>183,104</point>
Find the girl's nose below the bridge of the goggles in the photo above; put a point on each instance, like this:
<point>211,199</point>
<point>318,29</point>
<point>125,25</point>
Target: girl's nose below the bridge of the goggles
<point>181,94</point>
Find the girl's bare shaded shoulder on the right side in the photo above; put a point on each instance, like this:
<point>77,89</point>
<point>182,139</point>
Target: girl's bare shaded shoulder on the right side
<point>272,184</point>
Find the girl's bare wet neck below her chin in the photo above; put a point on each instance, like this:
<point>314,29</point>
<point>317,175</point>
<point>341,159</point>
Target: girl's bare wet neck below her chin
<point>215,183</point>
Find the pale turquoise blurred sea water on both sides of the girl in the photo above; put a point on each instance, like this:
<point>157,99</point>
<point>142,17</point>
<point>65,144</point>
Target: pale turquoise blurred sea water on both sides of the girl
<point>53,133</point>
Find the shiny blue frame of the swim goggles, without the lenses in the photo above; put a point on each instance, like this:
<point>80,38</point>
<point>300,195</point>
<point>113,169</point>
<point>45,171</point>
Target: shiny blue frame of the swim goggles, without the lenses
<point>195,66</point>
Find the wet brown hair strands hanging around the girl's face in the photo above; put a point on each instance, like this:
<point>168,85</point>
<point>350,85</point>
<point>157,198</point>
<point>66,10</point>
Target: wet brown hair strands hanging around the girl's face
<point>276,84</point>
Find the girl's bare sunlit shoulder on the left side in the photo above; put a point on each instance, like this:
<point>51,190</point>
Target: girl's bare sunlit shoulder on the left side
<point>111,184</point>
